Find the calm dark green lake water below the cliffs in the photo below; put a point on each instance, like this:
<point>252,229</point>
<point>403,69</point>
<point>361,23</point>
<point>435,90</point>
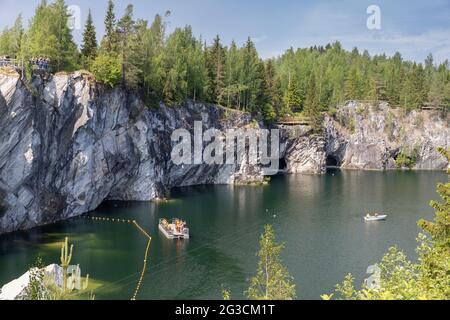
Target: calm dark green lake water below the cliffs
<point>320,218</point>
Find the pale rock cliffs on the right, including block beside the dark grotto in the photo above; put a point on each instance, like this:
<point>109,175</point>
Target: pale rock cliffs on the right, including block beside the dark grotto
<point>368,136</point>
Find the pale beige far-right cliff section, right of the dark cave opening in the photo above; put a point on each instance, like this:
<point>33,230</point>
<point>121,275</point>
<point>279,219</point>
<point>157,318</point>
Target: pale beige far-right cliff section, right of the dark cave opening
<point>372,136</point>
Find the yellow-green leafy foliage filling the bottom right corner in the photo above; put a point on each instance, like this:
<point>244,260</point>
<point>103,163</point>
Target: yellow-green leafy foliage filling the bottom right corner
<point>401,279</point>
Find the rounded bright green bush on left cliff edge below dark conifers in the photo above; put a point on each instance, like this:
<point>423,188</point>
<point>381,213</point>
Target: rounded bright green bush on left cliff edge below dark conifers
<point>107,69</point>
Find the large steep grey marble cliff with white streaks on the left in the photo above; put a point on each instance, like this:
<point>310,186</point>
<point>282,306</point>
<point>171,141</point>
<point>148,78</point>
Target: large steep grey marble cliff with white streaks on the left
<point>66,145</point>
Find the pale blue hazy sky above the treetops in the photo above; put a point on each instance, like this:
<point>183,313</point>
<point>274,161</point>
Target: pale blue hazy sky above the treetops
<point>415,28</point>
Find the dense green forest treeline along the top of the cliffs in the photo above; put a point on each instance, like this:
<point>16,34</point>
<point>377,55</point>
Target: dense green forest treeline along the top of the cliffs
<point>178,66</point>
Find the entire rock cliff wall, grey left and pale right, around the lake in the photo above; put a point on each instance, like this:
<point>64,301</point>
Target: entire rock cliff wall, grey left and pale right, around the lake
<point>67,144</point>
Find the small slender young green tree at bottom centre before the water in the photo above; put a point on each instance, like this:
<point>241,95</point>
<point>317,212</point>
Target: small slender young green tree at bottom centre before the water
<point>272,281</point>
